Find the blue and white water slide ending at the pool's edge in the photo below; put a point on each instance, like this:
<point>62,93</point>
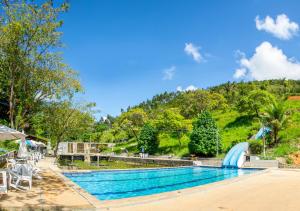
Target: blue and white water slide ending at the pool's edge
<point>236,155</point>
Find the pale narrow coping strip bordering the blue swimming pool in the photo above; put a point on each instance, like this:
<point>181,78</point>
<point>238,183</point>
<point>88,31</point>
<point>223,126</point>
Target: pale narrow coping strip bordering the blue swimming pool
<point>107,204</point>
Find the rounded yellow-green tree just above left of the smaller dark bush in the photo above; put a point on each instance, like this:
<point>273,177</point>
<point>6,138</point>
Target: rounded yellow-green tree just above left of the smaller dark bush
<point>132,121</point>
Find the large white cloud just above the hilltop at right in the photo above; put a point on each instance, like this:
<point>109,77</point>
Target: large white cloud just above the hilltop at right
<point>268,62</point>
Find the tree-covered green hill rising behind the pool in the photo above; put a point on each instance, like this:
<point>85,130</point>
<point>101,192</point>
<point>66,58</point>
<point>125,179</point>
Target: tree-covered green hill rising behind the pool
<point>224,102</point>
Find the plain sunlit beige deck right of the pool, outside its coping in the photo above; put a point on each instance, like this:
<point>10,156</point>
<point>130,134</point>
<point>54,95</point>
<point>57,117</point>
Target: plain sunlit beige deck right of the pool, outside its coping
<point>271,190</point>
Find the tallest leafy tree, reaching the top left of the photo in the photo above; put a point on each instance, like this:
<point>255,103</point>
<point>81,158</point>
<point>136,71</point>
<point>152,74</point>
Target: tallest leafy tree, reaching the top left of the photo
<point>31,71</point>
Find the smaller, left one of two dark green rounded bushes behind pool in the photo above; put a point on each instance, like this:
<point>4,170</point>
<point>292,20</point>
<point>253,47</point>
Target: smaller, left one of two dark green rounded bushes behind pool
<point>148,139</point>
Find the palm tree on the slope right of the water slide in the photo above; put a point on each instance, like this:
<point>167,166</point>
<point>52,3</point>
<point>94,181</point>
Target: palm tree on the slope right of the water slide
<point>275,117</point>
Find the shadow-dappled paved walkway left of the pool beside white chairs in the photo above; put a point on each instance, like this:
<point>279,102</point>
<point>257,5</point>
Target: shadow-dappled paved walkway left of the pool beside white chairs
<point>49,193</point>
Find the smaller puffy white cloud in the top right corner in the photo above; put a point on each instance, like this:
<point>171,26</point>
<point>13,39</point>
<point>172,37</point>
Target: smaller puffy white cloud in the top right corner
<point>281,28</point>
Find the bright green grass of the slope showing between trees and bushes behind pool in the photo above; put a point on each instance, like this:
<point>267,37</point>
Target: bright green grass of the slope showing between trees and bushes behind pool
<point>233,127</point>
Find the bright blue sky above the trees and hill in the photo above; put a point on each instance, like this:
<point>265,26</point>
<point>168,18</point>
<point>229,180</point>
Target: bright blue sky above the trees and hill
<point>128,51</point>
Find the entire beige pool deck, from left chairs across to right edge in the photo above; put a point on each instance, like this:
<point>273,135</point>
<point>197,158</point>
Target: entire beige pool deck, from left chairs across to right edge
<point>272,189</point>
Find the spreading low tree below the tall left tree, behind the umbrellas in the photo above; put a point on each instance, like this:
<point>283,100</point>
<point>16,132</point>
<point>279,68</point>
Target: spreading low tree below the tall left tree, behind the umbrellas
<point>65,122</point>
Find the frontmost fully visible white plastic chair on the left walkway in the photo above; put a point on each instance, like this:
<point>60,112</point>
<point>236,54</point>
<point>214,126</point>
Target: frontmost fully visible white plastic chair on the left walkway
<point>21,173</point>
